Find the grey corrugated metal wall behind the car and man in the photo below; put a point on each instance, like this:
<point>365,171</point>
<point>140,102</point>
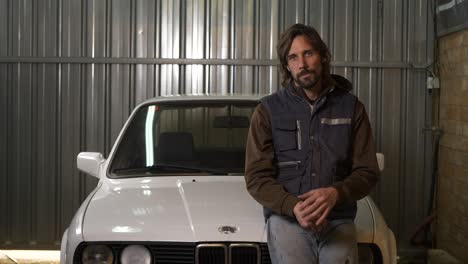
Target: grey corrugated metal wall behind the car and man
<point>72,70</point>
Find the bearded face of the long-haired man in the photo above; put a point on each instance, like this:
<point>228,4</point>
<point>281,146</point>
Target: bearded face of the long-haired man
<point>304,63</point>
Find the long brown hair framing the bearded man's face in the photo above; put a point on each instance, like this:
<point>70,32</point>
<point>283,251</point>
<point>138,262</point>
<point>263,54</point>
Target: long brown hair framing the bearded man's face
<point>284,45</point>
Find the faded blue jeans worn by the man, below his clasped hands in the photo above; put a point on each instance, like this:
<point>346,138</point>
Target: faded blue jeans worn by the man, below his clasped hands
<point>289,243</point>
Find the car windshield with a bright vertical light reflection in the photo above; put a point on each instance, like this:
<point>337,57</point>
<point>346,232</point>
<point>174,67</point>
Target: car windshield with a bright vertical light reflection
<point>184,138</point>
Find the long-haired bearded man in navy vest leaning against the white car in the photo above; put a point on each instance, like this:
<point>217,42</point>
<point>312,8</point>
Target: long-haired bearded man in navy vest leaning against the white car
<point>310,156</point>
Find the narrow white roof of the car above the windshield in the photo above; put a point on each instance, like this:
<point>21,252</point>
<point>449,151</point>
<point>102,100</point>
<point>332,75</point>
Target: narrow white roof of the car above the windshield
<point>206,97</point>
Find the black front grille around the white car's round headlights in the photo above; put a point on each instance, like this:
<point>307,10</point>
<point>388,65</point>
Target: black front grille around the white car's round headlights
<point>193,253</point>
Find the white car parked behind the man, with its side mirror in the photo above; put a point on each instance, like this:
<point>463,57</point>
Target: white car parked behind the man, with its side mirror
<point>172,191</point>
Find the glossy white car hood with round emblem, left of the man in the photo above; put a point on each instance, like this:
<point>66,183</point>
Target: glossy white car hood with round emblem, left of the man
<point>173,209</point>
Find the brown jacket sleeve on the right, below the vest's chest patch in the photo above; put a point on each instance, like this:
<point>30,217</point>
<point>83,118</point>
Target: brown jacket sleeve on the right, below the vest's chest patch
<point>365,170</point>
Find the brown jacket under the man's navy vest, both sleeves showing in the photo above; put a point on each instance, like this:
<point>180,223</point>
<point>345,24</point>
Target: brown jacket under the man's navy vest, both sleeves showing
<point>260,169</point>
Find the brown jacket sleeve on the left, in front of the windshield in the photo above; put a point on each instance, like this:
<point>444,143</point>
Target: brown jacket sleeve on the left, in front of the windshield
<point>259,167</point>
